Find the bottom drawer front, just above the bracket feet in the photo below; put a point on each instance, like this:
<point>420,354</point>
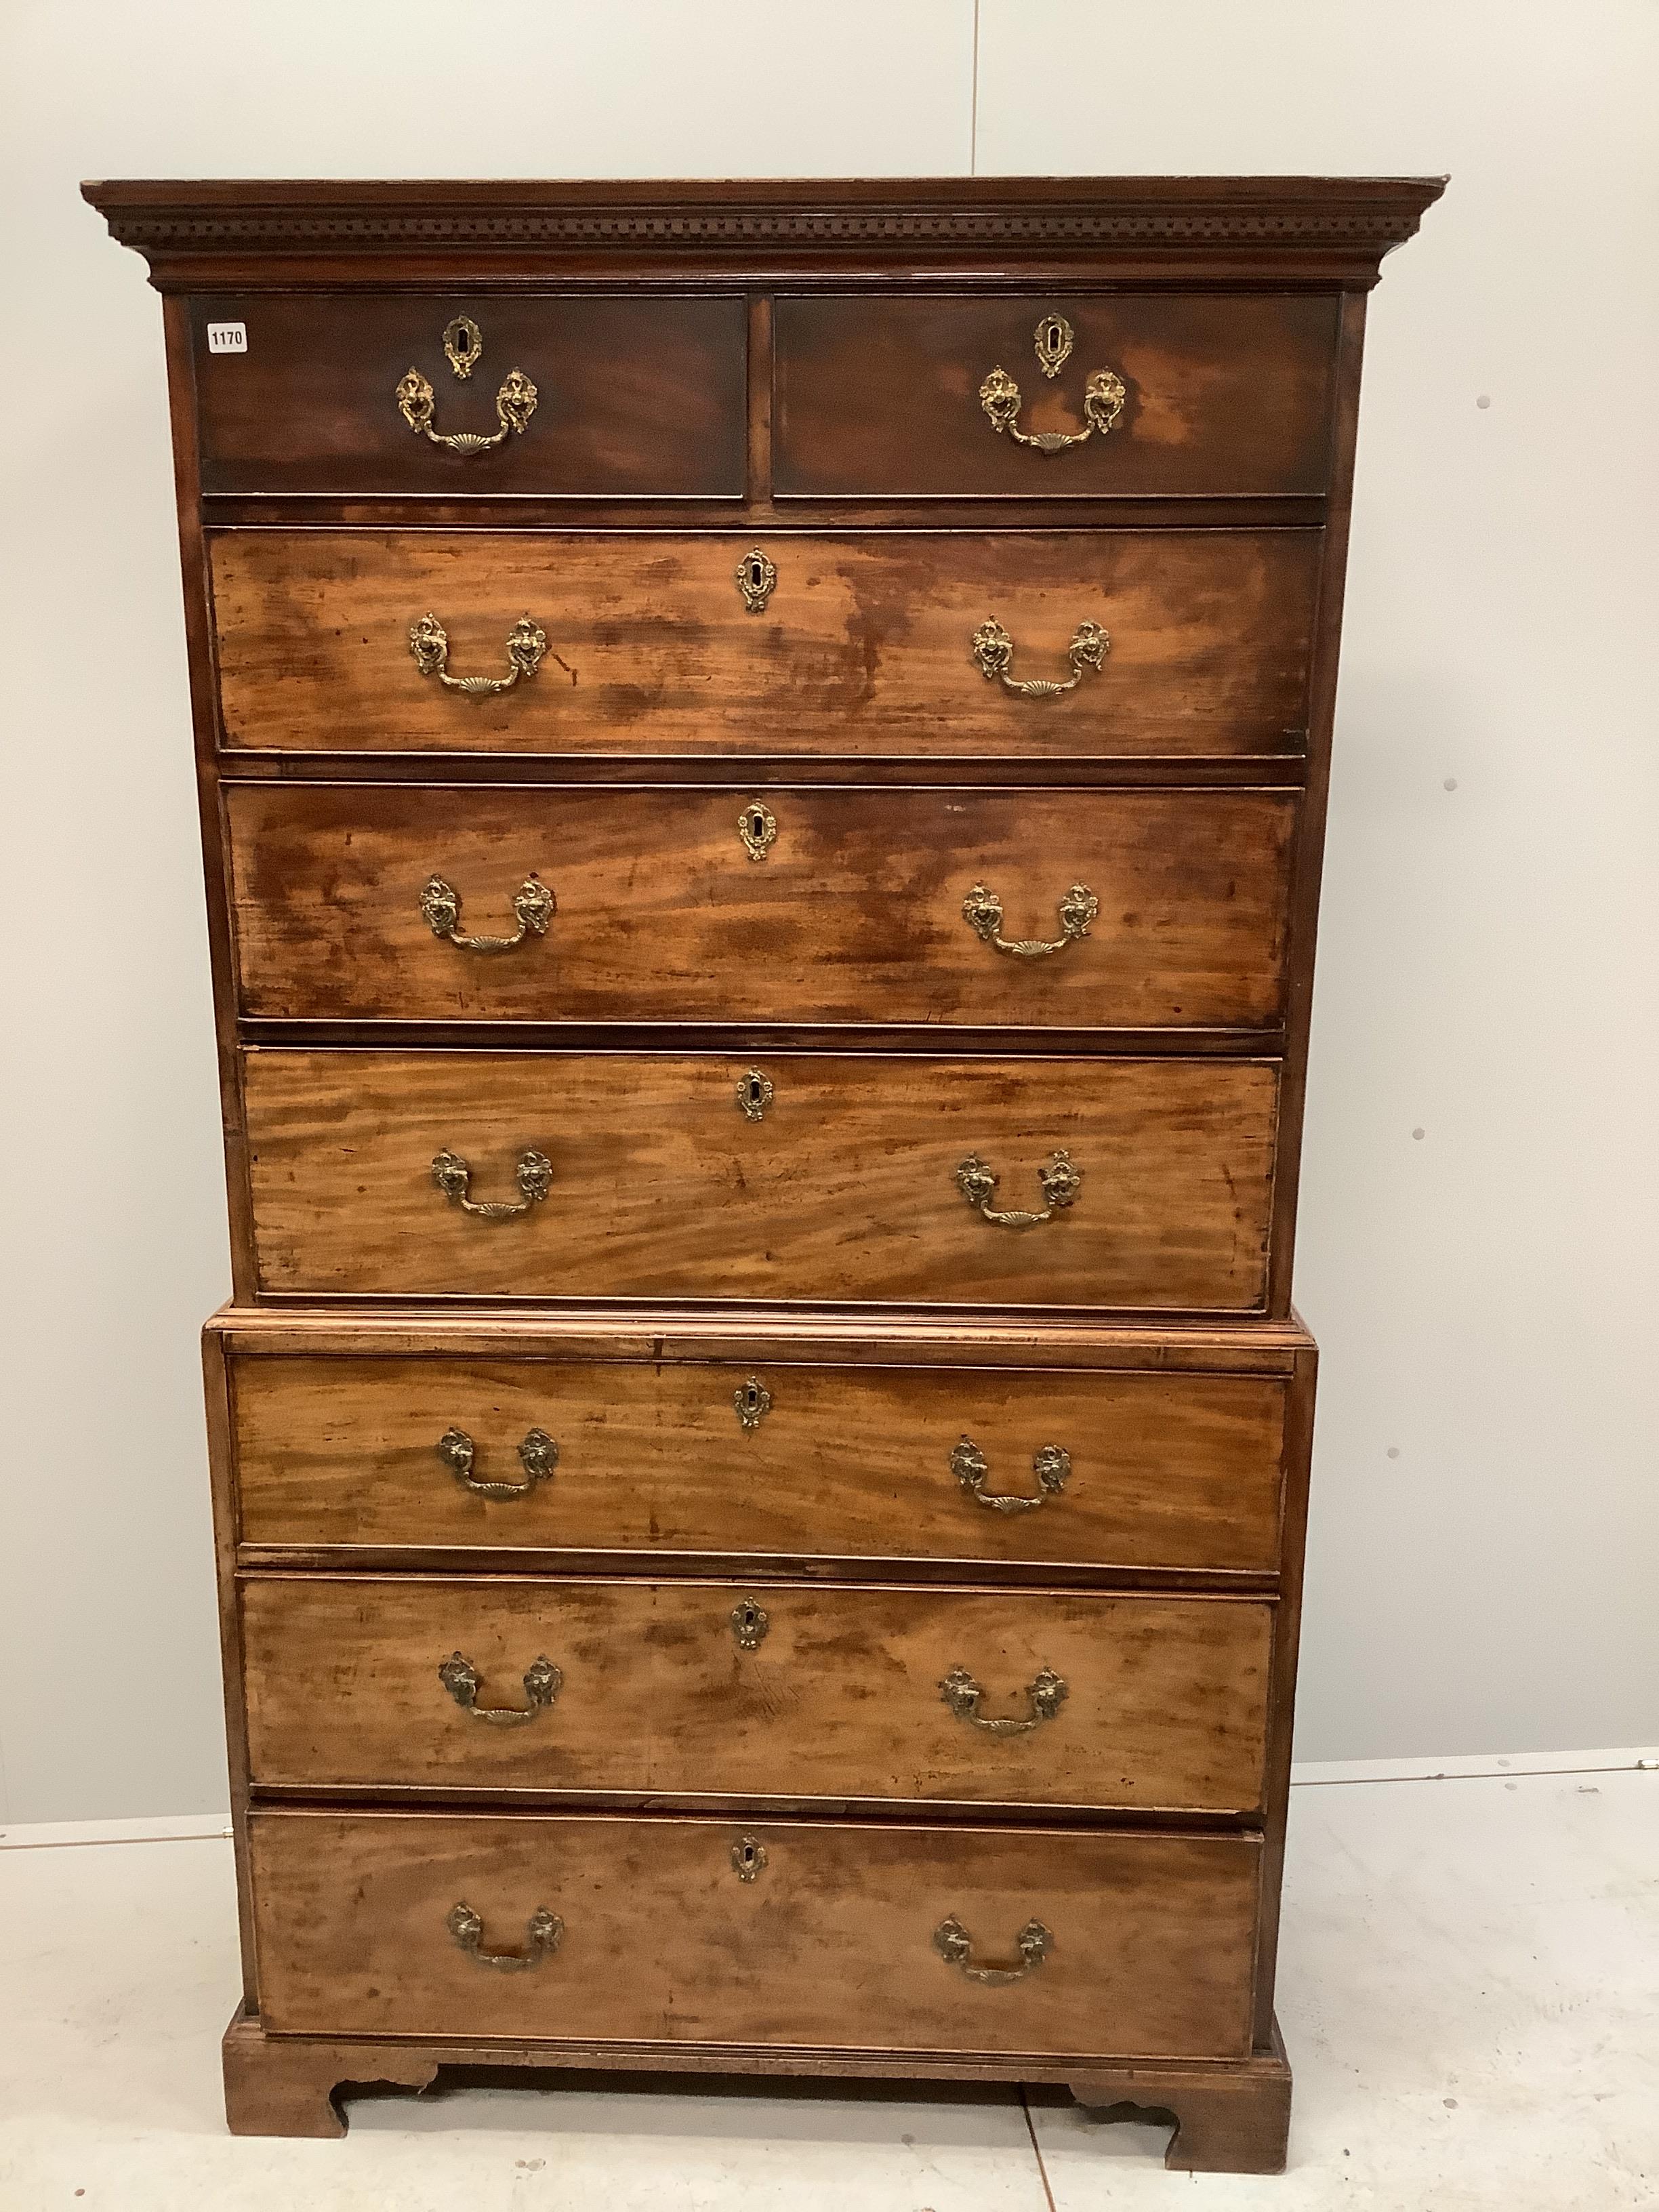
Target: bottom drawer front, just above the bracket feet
<point>713,1932</point>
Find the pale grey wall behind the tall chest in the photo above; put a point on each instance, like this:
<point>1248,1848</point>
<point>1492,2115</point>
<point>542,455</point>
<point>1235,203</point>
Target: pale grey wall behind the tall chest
<point>1485,1293</point>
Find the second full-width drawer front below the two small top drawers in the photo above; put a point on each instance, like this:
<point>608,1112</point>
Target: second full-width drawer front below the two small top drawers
<point>1158,908</point>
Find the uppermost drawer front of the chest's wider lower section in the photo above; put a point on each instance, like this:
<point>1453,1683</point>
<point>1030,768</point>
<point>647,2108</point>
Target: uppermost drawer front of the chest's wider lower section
<point>1076,1470</point>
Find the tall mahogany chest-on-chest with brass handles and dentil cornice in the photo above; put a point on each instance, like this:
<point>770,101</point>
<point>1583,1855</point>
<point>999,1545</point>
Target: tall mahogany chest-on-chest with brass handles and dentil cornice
<point>762,766</point>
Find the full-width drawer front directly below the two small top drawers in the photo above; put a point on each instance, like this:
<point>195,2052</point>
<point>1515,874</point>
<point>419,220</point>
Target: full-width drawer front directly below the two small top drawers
<point>864,645</point>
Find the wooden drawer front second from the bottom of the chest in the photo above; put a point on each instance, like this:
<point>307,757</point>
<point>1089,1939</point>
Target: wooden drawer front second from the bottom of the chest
<point>758,1691</point>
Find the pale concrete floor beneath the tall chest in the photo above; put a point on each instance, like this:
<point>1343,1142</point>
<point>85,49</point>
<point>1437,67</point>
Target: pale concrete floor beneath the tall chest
<point>1470,1994</point>
